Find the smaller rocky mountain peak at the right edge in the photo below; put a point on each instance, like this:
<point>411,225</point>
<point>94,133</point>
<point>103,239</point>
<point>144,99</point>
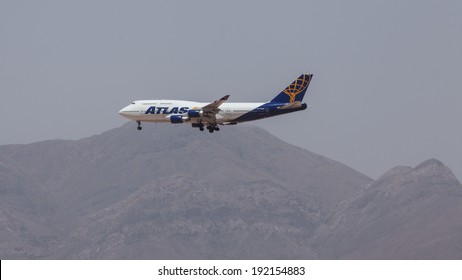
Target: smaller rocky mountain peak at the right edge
<point>408,213</point>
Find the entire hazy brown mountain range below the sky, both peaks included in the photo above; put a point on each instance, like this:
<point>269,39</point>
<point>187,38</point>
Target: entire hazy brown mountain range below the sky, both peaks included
<point>172,192</point>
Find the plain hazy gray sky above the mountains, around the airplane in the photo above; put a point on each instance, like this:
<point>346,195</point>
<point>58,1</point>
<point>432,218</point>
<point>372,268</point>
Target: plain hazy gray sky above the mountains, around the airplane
<point>386,91</point>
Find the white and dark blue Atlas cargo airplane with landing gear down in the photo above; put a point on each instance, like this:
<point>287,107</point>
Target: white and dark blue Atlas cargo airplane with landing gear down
<point>219,112</point>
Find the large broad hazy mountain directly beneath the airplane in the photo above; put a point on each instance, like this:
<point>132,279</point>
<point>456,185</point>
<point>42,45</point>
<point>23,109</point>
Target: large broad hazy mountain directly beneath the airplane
<point>167,192</point>
